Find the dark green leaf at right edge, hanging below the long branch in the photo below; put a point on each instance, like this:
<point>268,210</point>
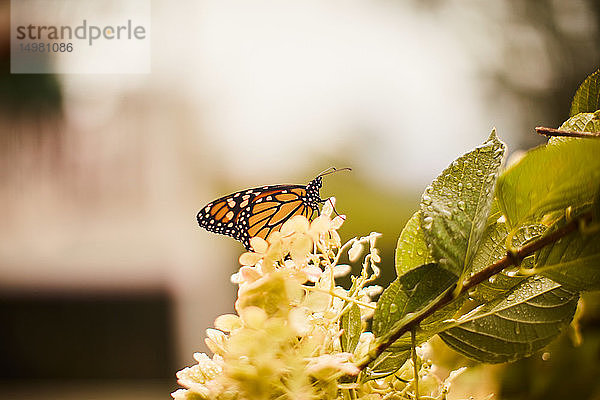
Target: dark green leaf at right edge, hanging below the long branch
<point>574,260</point>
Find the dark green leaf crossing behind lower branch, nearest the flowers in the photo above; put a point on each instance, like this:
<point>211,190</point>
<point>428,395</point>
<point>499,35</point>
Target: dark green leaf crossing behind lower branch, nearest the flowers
<point>409,293</point>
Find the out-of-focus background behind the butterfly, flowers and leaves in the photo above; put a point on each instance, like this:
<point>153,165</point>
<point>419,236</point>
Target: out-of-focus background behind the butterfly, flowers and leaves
<point>106,282</point>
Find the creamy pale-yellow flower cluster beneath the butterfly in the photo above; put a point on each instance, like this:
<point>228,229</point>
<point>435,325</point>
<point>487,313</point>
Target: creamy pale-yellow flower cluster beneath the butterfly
<point>285,341</point>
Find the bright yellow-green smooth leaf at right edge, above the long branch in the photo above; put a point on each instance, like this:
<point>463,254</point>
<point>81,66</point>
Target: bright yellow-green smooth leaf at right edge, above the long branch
<point>549,179</point>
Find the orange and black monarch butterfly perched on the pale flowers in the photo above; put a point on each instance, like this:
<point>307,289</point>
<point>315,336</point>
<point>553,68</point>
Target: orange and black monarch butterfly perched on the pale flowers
<point>262,210</point>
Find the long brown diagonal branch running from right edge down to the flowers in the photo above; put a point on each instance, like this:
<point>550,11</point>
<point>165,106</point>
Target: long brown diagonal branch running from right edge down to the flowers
<point>513,258</point>
